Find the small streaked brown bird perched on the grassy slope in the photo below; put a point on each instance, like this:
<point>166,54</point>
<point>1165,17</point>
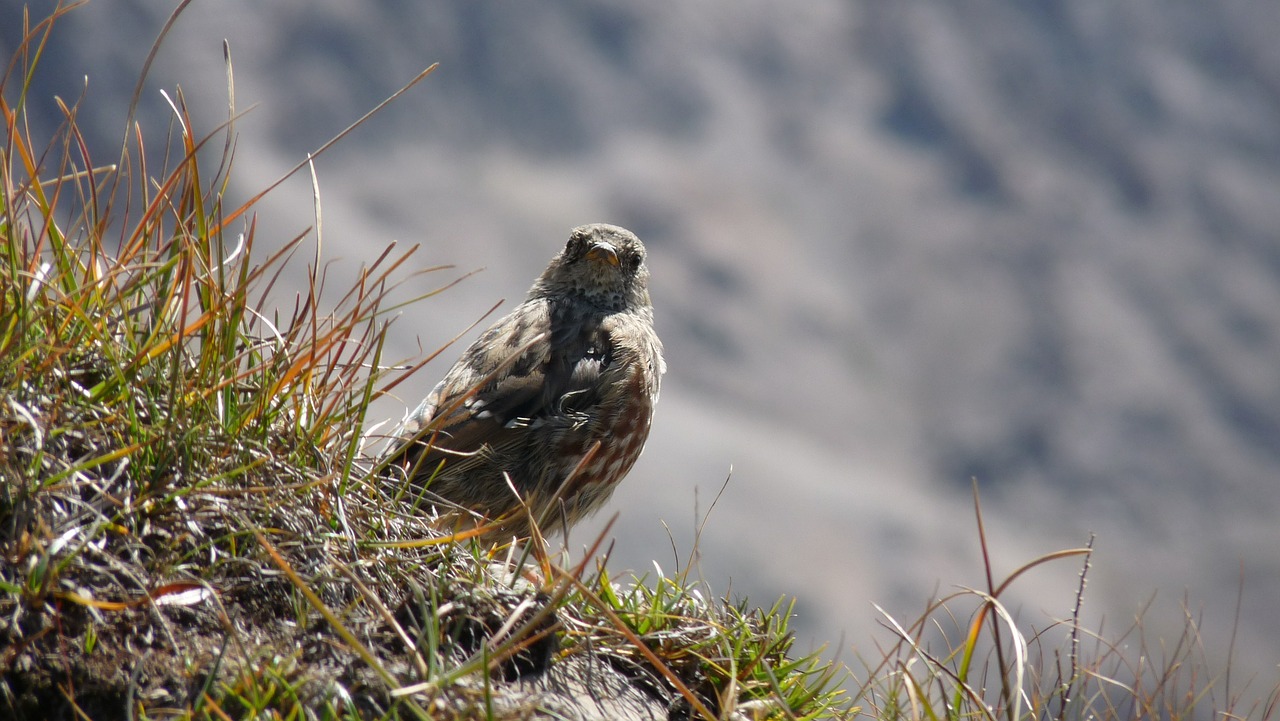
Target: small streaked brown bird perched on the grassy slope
<point>554,403</point>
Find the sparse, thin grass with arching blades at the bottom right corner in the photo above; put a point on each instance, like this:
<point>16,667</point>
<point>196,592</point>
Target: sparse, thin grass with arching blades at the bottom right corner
<point>970,658</point>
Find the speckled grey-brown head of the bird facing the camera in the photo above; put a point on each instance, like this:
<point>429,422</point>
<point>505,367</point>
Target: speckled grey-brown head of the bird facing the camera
<point>602,264</point>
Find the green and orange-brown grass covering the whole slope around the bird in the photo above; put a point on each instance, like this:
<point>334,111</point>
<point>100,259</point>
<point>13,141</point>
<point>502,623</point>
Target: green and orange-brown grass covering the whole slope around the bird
<point>191,527</point>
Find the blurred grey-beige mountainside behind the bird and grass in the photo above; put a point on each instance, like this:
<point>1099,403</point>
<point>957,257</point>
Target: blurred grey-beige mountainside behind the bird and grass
<point>895,248</point>
